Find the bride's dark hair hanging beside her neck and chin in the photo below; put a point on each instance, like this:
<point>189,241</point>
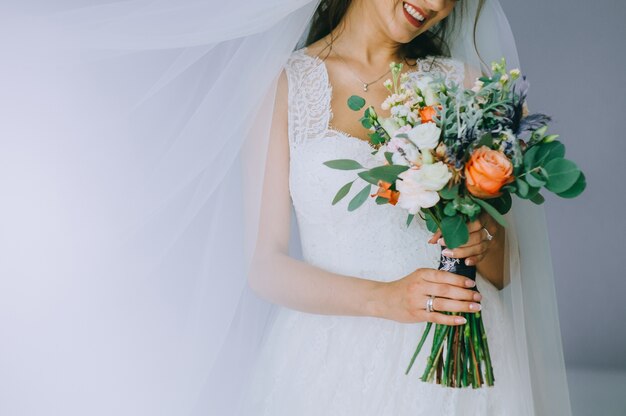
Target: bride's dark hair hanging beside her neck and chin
<point>329,14</point>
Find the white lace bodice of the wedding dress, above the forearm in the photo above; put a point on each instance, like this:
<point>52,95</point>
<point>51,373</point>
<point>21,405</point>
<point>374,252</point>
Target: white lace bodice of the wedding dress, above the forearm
<point>346,242</point>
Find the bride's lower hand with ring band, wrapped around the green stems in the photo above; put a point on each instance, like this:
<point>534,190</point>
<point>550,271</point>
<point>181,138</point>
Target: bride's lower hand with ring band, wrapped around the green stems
<point>404,300</point>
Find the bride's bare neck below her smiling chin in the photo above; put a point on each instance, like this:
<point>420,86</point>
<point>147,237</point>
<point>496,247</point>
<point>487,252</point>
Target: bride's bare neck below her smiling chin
<point>360,37</point>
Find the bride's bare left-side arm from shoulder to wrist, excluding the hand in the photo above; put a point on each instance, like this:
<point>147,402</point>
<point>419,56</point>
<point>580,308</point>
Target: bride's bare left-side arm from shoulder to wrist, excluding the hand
<point>275,275</point>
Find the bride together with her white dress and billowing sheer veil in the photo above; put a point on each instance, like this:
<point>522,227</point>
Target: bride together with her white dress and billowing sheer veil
<point>170,144</point>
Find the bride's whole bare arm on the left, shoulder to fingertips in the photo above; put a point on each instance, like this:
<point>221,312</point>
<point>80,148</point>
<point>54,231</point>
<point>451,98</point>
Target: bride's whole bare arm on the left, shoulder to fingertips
<point>298,285</point>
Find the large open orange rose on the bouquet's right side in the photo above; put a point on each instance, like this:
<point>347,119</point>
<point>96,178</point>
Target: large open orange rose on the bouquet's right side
<point>487,172</point>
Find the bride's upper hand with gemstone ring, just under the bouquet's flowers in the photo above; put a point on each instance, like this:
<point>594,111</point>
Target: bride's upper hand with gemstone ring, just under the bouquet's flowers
<point>479,243</point>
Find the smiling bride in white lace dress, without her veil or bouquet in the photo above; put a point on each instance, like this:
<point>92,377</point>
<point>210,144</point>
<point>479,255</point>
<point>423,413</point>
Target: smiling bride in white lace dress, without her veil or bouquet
<point>356,305</point>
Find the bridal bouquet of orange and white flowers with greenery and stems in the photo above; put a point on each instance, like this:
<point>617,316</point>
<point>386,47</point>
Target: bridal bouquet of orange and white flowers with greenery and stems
<point>448,153</point>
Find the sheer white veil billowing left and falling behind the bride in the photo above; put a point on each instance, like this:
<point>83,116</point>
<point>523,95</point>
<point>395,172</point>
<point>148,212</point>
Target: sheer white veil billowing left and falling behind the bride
<point>134,137</point>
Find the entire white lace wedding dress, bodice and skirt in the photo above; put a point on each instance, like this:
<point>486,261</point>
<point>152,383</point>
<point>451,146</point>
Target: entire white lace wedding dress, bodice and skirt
<point>323,365</point>
